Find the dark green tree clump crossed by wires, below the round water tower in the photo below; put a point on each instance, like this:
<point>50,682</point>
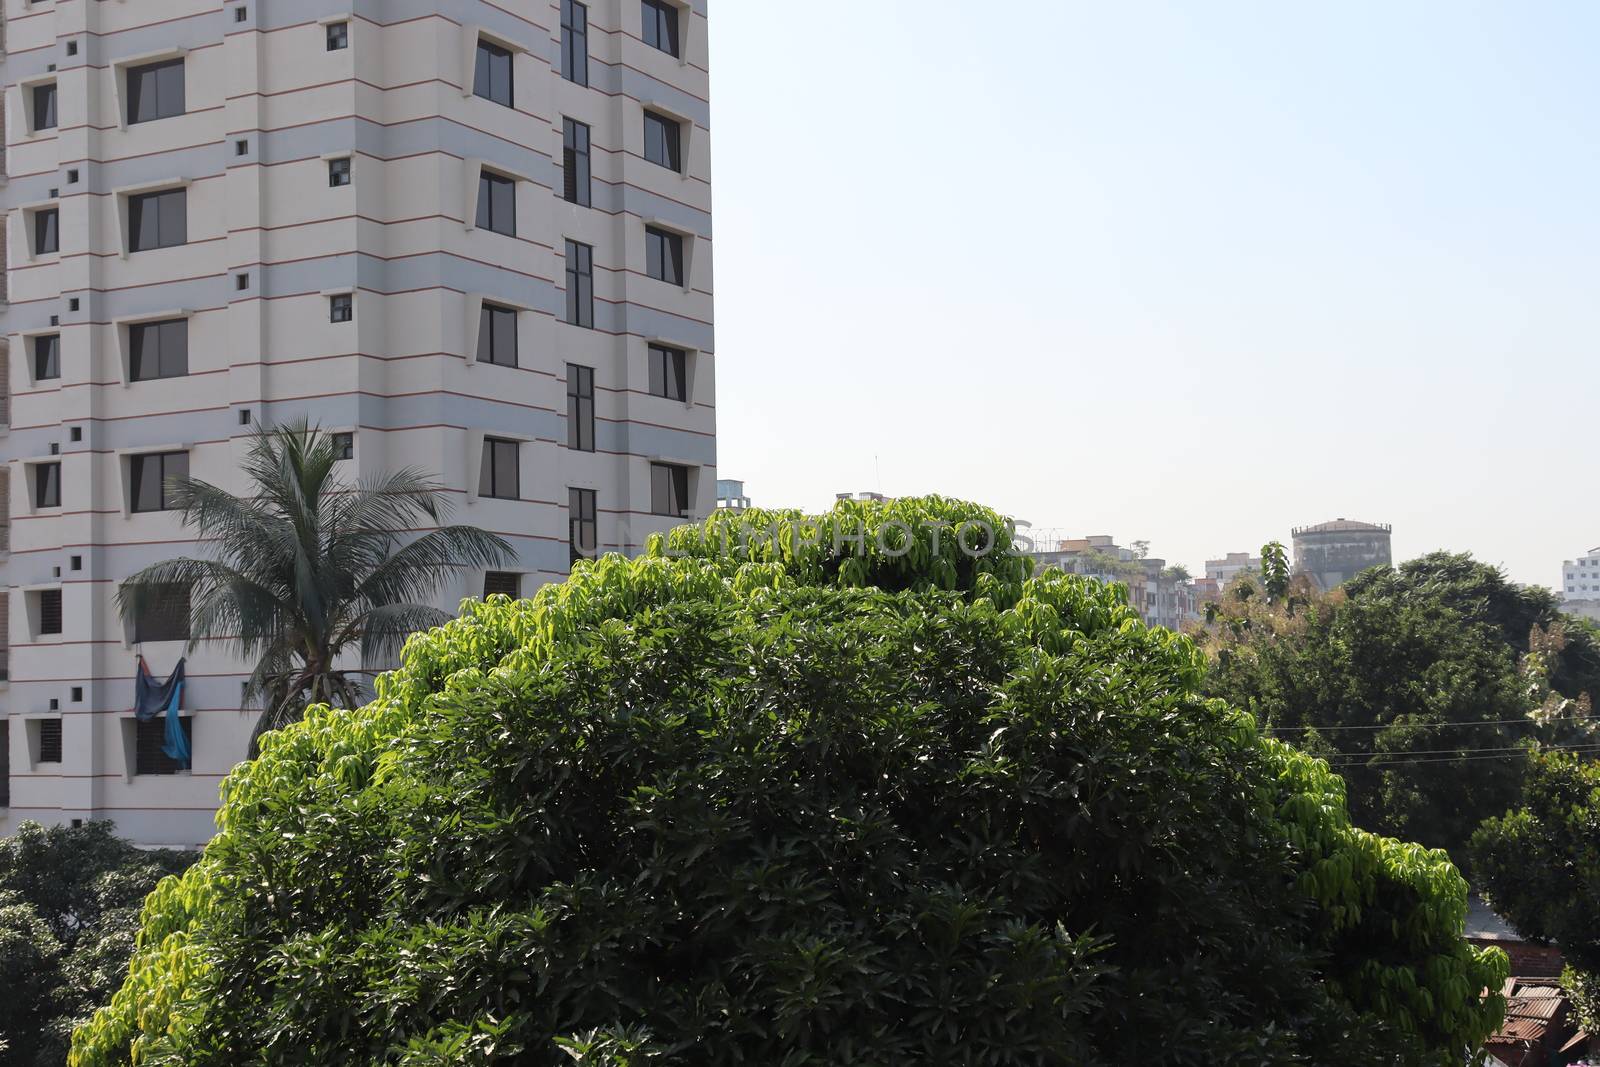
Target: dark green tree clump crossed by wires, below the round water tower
<point>1422,685</point>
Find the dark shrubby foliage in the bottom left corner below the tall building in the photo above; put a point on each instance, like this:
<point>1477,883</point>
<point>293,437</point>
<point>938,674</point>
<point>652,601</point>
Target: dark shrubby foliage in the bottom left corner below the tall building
<point>70,908</point>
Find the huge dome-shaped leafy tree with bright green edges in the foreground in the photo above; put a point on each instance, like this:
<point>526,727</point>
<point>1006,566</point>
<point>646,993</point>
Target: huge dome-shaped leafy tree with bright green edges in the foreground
<point>799,801</point>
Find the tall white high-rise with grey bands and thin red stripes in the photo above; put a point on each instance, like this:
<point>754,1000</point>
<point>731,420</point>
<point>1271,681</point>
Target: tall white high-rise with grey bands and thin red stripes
<point>468,236</point>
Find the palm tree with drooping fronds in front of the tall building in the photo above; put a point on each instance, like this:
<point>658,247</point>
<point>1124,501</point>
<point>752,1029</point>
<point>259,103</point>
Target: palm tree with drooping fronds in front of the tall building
<point>311,570</point>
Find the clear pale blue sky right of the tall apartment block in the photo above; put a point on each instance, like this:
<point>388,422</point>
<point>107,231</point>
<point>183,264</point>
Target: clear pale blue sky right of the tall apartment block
<point>1185,273</point>
